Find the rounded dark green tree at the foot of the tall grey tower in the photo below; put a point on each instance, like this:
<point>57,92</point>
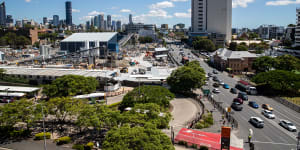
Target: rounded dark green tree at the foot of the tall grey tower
<point>204,44</point>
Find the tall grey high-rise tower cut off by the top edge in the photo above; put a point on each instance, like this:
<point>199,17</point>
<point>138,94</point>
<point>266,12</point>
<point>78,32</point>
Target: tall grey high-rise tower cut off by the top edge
<point>212,16</point>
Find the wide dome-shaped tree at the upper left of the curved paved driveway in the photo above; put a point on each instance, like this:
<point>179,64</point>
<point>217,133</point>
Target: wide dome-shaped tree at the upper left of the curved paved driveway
<point>147,94</point>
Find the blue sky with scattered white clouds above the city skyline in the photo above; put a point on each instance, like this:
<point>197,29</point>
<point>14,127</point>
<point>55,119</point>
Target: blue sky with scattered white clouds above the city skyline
<point>246,13</point>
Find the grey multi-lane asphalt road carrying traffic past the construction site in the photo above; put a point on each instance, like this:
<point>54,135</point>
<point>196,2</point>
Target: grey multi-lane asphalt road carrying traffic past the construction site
<point>272,136</point>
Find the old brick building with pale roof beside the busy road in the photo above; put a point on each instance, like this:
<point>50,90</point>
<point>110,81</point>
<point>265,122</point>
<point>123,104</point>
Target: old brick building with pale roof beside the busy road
<point>234,61</point>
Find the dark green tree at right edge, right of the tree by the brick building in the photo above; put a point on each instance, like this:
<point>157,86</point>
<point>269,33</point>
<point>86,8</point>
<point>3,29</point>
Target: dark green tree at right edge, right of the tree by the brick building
<point>287,62</point>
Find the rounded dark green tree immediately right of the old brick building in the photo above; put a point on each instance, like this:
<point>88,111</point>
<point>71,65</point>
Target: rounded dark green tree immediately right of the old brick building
<point>263,64</point>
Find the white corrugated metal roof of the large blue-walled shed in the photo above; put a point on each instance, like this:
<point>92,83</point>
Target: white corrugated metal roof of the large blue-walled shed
<point>98,36</point>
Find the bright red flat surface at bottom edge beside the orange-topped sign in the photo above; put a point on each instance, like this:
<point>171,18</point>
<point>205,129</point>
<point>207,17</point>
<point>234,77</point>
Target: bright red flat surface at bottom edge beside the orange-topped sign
<point>211,140</point>
